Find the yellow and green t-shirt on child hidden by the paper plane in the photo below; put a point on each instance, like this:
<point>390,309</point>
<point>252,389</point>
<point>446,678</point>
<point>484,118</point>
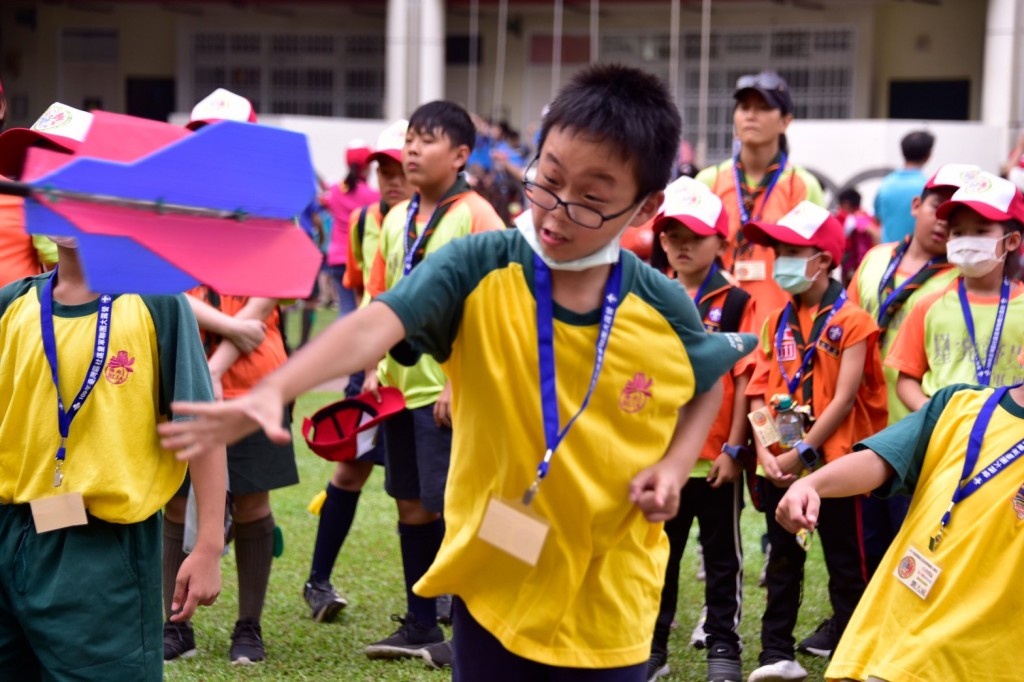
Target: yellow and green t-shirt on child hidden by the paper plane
<point>114,455</point>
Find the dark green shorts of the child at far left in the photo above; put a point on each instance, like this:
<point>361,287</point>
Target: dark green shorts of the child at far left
<point>80,604</point>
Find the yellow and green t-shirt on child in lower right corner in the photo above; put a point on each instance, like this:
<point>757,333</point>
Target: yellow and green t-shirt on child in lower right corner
<point>969,626</point>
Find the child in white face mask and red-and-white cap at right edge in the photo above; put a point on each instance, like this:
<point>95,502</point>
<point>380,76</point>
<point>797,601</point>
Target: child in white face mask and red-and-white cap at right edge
<point>971,332</point>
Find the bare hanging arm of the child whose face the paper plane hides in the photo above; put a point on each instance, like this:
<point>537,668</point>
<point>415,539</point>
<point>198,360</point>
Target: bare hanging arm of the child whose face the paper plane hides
<point>198,581</point>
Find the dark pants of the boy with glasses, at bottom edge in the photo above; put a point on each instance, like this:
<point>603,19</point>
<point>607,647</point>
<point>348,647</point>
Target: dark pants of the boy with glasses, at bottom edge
<point>479,656</point>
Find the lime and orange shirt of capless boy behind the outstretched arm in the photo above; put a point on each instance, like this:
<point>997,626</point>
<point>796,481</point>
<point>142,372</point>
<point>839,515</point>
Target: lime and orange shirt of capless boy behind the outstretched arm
<point>470,214</point>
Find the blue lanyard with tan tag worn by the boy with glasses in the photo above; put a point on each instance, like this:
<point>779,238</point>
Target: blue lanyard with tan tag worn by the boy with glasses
<point>513,526</point>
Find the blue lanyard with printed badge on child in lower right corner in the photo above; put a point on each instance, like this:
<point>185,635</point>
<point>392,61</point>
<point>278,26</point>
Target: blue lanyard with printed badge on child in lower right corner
<point>916,570</point>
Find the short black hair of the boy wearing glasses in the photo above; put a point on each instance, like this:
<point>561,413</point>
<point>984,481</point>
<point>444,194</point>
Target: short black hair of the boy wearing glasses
<point>629,109</point>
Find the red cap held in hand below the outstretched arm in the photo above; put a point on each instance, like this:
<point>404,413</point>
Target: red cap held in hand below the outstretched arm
<point>348,430</point>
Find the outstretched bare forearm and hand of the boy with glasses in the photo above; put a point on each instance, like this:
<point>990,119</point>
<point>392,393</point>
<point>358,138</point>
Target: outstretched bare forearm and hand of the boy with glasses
<point>356,343</point>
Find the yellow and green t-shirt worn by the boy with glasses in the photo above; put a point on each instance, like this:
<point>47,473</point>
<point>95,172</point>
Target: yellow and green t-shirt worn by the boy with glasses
<point>592,599</point>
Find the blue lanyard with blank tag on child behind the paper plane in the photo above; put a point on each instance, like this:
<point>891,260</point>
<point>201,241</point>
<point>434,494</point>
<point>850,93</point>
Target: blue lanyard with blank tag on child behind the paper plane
<point>67,509</point>
